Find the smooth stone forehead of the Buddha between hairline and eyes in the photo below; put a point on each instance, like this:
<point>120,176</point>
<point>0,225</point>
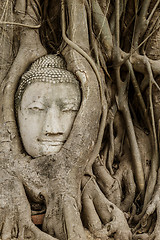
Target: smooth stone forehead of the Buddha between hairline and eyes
<point>48,92</point>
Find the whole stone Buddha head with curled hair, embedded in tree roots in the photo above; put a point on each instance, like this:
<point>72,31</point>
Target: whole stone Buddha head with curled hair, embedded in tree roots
<point>46,102</point>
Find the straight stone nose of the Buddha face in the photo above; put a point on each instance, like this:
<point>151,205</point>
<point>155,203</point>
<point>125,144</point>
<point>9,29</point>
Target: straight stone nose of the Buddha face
<point>52,123</point>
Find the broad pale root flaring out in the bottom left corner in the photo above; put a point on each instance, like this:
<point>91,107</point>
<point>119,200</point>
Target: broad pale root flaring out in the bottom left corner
<point>15,212</point>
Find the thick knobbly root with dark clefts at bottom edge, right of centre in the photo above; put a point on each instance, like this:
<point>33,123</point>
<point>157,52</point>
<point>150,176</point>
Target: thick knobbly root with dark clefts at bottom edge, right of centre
<point>104,219</point>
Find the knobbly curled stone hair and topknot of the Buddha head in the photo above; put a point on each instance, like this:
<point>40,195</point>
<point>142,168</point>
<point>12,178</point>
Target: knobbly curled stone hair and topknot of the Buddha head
<point>49,68</point>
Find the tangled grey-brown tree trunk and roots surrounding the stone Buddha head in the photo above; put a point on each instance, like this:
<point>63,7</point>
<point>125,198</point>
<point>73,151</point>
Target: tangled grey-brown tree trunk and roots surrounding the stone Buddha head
<point>104,183</point>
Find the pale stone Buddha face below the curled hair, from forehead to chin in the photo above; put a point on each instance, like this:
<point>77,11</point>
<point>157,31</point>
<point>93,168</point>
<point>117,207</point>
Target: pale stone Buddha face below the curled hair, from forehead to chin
<point>46,115</point>
